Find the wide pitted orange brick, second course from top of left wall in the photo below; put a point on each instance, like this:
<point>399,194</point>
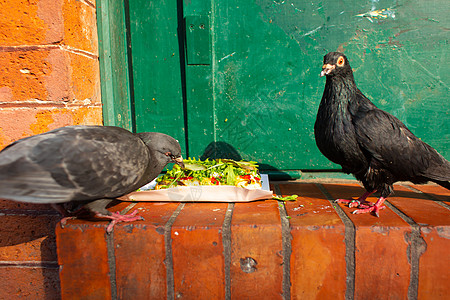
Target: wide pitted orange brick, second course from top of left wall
<point>48,74</point>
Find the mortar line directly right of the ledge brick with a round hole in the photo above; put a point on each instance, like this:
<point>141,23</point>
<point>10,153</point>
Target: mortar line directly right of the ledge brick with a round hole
<point>287,246</point>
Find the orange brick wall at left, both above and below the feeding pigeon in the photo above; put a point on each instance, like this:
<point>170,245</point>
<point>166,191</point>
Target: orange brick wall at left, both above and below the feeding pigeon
<point>49,77</point>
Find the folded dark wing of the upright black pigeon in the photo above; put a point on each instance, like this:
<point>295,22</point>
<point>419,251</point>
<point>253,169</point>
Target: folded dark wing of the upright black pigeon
<point>387,140</point>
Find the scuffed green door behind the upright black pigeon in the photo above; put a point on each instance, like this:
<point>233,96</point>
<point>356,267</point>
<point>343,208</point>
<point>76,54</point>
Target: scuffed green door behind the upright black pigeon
<point>241,78</point>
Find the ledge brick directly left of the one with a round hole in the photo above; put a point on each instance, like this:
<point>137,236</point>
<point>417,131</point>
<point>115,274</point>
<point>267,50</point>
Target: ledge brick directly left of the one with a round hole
<point>198,253</point>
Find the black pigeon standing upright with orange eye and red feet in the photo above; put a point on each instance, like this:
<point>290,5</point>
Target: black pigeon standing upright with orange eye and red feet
<point>373,145</point>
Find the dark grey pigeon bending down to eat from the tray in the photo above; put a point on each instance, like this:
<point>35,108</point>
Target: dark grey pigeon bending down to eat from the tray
<point>87,165</point>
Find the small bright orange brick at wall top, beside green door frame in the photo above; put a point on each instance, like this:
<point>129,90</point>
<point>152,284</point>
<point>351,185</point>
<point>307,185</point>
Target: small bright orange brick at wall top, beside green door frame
<point>80,25</point>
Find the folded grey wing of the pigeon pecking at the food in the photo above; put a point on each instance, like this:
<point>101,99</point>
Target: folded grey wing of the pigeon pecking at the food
<point>72,164</point>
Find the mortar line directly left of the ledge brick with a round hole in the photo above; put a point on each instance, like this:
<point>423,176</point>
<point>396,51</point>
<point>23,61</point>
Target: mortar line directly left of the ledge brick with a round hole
<point>226,241</point>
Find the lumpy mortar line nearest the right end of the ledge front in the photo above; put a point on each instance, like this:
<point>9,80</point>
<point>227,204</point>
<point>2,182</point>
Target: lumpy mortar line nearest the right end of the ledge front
<point>413,250</point>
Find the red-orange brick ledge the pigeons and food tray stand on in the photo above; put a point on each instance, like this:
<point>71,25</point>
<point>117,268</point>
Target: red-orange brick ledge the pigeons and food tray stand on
<point>309,248</point>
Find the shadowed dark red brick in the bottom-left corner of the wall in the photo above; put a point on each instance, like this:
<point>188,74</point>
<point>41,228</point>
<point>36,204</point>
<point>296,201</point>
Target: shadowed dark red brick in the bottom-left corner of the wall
<point>34,283</point>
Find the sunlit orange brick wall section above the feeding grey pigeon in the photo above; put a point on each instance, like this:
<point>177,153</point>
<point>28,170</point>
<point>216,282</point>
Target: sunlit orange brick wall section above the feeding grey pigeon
<point>49,72</point>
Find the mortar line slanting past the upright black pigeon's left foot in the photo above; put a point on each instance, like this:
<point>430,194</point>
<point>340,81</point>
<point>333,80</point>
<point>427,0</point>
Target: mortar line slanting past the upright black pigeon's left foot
<point>350,244</point>
